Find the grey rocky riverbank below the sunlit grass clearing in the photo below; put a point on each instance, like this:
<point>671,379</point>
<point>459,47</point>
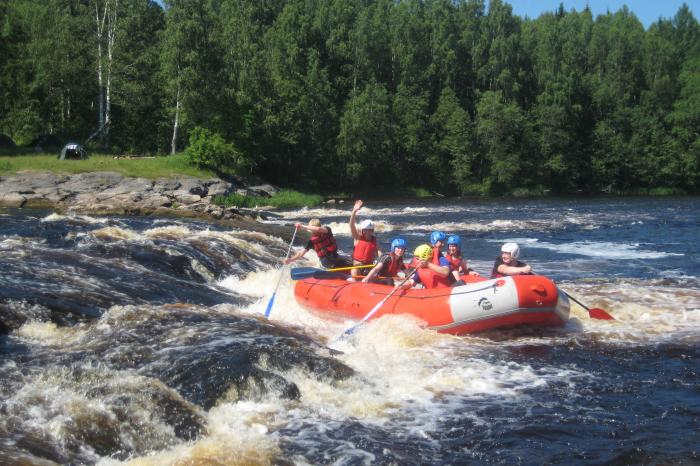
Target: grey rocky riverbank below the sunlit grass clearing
<point>100,193</point>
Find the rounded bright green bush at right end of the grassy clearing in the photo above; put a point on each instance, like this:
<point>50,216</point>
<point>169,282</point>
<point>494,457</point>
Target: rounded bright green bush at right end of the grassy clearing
<point>209,150</point>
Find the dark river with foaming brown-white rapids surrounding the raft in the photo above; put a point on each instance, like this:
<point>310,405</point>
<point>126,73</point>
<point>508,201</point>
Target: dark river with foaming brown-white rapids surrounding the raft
<point>142,340</point>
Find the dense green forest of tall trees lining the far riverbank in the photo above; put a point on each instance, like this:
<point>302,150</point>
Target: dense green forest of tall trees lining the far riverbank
<point>461,97</point>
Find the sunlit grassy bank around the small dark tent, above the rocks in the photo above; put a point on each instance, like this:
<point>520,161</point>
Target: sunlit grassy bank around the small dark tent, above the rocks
<point>152,168</point>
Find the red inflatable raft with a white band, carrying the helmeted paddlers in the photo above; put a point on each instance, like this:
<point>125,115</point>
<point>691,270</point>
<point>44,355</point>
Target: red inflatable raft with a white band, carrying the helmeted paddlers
<point>480,305</point>
